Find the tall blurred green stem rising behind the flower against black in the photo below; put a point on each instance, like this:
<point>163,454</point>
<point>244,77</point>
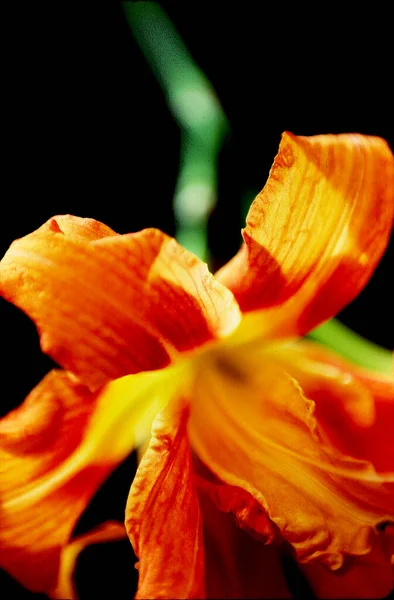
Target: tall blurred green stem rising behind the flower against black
<point>194,105</point>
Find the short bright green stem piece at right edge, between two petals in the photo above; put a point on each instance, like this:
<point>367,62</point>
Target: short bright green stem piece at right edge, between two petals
<point>340,338</point>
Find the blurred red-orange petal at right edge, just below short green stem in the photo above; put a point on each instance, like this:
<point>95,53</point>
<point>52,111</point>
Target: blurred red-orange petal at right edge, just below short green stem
<point>354,406</point>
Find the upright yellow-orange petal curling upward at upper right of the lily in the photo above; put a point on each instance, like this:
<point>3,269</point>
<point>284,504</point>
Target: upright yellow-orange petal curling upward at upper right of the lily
<point>315,233</point>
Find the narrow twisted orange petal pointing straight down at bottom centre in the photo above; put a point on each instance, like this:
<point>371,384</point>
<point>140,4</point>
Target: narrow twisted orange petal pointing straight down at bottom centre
<point>163,517</point>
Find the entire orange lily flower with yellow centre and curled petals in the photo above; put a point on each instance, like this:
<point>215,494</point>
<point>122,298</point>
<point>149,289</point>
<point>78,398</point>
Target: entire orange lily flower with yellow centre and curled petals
<point>261,442</point>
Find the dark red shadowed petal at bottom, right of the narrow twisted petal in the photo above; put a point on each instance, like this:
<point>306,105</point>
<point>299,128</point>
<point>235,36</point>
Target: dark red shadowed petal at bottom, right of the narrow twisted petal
<point>239,564</point>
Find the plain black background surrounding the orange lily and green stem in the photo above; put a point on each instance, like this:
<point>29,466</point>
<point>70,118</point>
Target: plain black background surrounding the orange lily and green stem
<point>86,131</point>
